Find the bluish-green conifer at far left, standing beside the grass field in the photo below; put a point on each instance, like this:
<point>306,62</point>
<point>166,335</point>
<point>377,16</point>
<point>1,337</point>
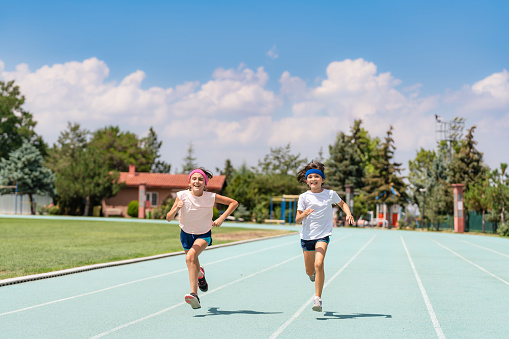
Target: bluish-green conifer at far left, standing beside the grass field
<point>25,168</point>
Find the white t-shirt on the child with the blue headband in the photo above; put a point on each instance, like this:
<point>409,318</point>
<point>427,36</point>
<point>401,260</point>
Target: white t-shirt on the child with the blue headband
<point>319,223</point>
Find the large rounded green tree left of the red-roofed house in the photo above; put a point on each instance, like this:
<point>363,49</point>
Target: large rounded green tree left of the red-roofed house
<point>82,175</point>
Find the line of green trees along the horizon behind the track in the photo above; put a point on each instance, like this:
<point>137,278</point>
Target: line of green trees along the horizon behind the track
<point>83,167</point>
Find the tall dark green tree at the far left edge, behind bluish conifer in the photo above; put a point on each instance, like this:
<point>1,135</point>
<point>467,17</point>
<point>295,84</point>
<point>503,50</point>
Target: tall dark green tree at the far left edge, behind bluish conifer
<point>16,124</point>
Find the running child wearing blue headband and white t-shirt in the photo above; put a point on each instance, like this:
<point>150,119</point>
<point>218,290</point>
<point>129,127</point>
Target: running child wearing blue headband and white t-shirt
<point>314,210</point>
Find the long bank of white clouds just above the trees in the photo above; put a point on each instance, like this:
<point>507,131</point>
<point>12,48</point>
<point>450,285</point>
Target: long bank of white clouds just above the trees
<point>234,115</point>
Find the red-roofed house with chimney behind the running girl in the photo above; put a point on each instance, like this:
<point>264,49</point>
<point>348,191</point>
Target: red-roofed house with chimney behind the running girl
<point>151,190</point>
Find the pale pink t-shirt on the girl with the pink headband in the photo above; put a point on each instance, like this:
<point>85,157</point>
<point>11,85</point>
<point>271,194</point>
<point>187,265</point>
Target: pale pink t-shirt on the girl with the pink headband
<point>196,214</point>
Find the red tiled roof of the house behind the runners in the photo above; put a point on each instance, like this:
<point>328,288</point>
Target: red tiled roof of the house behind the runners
<point>165,180</point>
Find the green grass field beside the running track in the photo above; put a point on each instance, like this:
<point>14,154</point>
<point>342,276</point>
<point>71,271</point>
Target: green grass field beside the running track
<point>31,246</point>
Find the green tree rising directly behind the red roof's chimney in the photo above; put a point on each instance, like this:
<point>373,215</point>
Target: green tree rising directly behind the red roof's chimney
<point>121,149</point>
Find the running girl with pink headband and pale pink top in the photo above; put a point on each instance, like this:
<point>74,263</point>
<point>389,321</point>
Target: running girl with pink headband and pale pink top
<point>196,205</point>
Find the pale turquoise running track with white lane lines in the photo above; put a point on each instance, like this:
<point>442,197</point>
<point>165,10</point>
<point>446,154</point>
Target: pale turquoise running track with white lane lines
<point>379,284</point>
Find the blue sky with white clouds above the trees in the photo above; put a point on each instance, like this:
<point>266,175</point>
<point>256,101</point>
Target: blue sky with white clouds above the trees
<point>237,78</point>
